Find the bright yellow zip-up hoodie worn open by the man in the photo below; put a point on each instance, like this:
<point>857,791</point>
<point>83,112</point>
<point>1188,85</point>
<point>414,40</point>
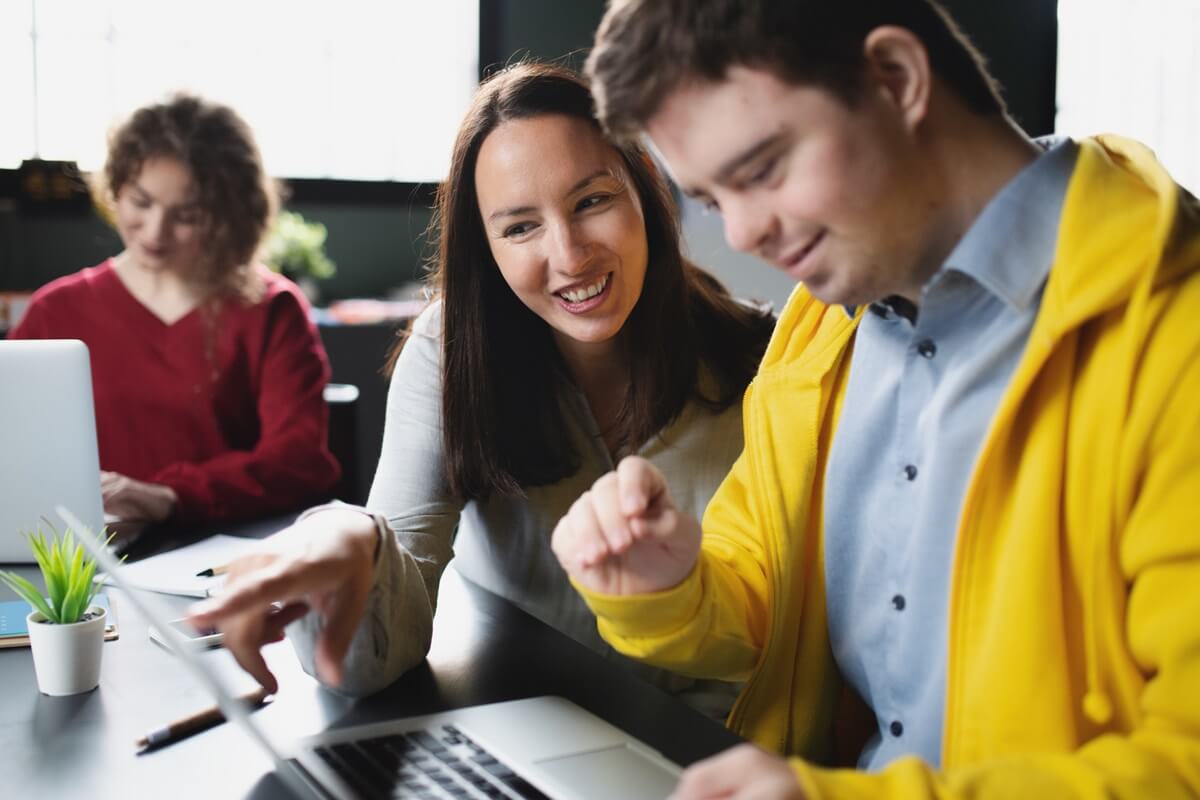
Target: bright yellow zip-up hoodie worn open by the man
<point>1075,615</point>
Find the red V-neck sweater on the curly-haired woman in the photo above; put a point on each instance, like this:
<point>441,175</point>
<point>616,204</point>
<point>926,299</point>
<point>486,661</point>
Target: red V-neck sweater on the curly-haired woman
<point>237,436</point>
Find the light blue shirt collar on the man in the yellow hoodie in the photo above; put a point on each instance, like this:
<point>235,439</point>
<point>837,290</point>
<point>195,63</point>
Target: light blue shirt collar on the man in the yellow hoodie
<point>1010,249</point>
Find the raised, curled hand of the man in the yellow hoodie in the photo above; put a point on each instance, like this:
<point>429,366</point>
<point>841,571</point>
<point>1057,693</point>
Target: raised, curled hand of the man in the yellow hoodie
<point>625,537</point>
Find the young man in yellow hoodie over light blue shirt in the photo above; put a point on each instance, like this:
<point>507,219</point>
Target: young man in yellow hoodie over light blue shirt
<point>971,478</point>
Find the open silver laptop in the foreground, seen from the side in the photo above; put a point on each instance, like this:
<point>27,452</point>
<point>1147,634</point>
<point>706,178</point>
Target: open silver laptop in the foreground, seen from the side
<point>537,748</point>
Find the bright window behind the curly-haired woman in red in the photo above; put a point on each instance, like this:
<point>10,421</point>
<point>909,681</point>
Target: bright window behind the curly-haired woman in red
<point>353,89</point>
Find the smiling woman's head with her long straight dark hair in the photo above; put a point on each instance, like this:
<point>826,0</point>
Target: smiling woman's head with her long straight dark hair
<point>508,272</point>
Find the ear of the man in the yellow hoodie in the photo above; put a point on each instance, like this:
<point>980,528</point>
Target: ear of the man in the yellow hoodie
<point>897,63</point>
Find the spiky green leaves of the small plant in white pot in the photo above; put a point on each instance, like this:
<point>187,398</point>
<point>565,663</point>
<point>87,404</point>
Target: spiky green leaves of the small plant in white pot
<point>68,574</point>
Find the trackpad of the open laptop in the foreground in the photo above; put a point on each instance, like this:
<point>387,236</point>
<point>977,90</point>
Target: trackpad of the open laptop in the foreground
<point>614,773</point>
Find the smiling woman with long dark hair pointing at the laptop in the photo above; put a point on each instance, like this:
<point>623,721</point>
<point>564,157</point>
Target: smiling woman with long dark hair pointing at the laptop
<point>568,332</point>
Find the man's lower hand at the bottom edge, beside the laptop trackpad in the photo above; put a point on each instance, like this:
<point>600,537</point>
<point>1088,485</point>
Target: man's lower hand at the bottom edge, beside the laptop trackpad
<point>743,773</point>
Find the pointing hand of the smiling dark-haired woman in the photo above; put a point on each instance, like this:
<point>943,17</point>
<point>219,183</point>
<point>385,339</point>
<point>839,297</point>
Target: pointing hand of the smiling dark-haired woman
<point>325,563</point>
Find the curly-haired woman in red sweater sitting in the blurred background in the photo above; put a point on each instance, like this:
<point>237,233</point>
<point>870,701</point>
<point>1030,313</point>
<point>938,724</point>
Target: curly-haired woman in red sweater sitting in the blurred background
<point>208,372</point>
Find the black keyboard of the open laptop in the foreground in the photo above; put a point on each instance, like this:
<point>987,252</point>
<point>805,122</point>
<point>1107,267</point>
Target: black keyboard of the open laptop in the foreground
<point>441,765</point>
